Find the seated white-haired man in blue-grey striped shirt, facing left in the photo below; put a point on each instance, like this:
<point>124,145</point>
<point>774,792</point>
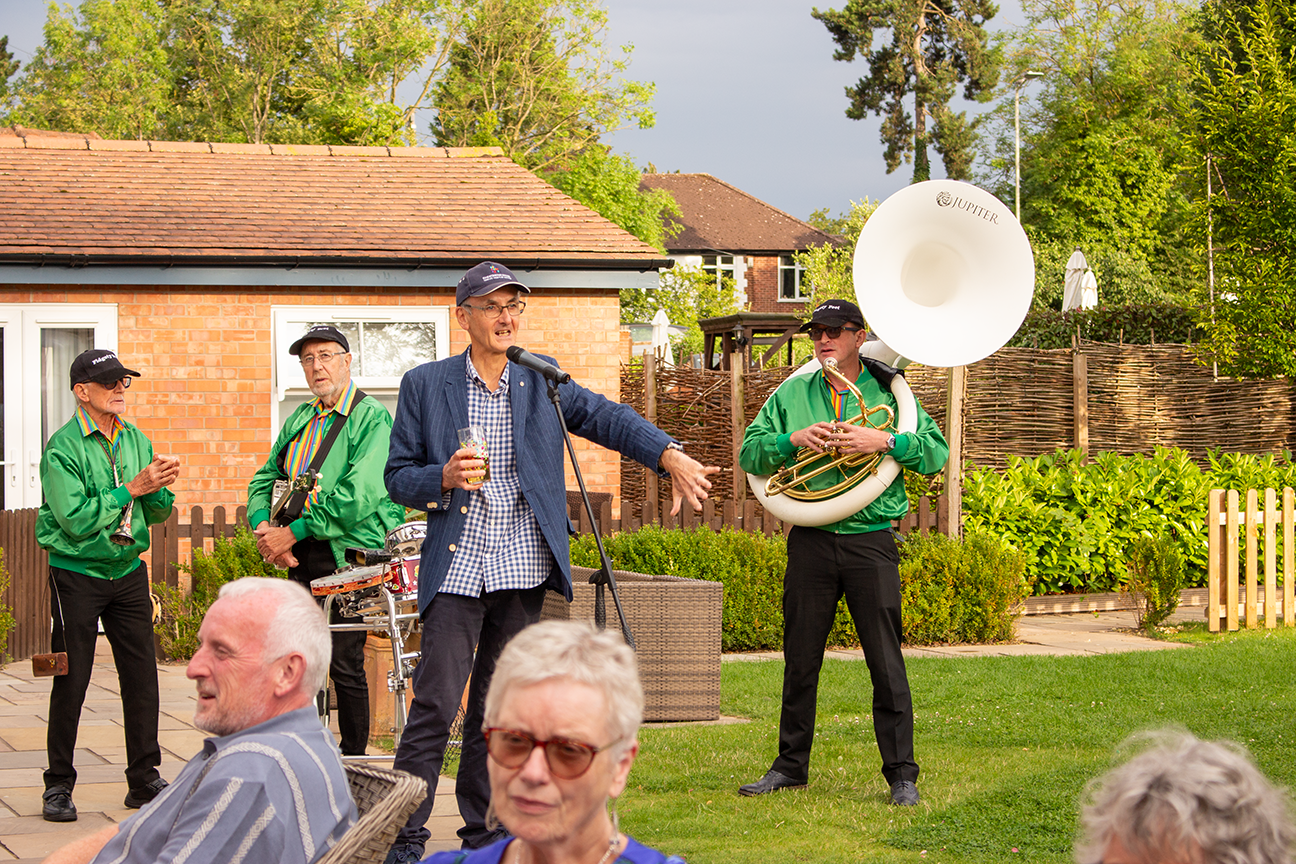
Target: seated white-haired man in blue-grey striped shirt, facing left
<point>270,786</point>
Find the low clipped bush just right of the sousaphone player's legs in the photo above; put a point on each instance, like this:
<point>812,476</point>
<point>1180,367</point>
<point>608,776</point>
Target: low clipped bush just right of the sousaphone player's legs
<point>956,591</point>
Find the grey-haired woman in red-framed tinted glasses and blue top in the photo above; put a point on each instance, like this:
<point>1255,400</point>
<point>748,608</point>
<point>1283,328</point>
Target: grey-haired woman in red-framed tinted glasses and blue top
<point>562,717</point>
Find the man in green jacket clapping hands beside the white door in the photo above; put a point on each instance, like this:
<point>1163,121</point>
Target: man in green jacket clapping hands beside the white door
<point>103,488</point>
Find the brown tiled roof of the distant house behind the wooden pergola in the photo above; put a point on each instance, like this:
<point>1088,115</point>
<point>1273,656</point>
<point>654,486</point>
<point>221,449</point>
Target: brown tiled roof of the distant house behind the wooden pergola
<point>721,218</point>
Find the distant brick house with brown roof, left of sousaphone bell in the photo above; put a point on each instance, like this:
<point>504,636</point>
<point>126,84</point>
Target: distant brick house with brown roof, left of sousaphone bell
<point>730,233</point>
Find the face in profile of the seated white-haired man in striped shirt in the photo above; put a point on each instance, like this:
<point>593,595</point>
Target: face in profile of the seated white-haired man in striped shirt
<point>233,677</point>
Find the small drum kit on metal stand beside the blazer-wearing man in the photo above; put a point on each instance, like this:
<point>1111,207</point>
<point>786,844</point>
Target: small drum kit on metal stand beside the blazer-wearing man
<point>382,589</point>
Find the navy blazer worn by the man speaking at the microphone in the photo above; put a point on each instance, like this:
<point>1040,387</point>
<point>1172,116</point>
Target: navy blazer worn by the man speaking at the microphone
<point>434,409</point>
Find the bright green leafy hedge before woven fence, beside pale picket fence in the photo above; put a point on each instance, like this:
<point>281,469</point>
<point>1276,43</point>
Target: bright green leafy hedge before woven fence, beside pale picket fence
<point>1076,521</point>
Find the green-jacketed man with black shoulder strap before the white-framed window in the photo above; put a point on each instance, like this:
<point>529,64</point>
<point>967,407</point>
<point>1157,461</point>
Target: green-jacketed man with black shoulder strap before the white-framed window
<point>329,463</point>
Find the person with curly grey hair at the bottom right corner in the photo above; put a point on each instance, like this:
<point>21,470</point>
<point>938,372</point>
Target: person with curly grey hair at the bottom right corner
<point>1185,801</point>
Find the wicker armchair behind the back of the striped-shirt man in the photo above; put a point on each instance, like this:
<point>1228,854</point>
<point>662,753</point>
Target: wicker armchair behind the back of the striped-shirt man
<point>386,800</point>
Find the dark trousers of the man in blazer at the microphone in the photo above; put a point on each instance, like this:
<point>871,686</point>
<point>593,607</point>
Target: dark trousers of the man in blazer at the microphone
<point>453,628</point>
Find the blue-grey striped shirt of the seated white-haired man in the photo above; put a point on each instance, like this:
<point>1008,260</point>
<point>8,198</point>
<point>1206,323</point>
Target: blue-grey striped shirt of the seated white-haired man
<point>274,793</point>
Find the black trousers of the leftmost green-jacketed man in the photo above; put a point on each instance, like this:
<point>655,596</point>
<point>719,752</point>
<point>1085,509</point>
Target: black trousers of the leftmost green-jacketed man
<point>126,611</point>
